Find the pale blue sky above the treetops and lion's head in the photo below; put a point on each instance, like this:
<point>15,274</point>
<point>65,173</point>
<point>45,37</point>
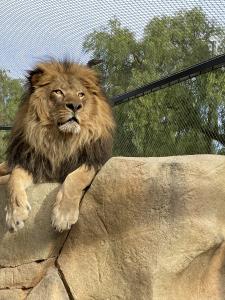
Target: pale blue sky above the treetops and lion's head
<point>31,30</point>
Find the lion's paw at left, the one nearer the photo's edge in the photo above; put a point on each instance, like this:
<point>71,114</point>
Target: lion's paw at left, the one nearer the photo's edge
<point>17,212</point>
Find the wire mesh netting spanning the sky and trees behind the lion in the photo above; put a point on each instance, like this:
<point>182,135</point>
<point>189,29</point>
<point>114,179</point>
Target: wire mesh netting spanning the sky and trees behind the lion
<point>137,42</point>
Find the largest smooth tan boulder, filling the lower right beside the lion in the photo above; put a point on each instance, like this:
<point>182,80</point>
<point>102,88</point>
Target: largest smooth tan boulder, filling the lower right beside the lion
<point>150,229</point>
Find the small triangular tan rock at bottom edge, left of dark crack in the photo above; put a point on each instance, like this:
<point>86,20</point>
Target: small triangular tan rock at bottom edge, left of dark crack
<point>49,288</point>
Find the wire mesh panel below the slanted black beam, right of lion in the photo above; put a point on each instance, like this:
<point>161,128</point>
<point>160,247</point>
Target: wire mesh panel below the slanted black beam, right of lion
<point>187,118</point>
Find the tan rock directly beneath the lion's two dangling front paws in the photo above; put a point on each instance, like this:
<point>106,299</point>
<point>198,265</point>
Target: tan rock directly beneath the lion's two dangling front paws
<point>37,240</point>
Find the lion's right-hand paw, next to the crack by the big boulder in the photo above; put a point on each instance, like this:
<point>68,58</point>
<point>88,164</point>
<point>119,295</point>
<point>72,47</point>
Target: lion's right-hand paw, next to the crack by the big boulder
<point>63,218</point>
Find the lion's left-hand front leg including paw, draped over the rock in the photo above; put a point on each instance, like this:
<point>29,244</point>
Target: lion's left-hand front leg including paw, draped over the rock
<point>18,207</point>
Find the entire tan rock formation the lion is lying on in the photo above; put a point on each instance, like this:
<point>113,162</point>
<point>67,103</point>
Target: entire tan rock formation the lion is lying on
<point>149,229</point>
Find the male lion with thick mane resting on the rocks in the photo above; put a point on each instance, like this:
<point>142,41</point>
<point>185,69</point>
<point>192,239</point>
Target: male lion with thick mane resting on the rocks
<point>63,132</point>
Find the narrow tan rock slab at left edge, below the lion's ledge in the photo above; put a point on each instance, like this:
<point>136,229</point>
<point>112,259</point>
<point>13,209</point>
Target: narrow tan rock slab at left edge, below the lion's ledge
<point>24,276</point>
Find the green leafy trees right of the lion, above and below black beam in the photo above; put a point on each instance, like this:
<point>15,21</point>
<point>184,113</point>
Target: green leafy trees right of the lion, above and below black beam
<point>186,118</point>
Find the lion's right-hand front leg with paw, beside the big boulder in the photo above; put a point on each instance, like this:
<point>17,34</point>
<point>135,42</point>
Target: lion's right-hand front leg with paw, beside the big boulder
<point>66,209</point>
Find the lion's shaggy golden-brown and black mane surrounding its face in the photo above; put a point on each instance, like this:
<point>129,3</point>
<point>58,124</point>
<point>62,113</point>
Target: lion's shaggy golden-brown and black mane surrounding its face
<point>37,145</point>
